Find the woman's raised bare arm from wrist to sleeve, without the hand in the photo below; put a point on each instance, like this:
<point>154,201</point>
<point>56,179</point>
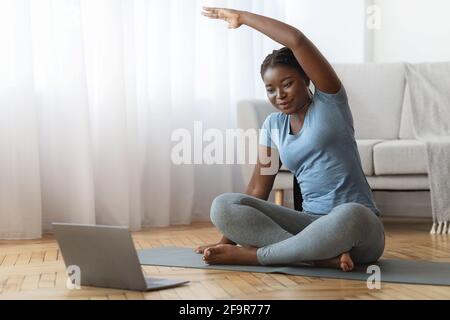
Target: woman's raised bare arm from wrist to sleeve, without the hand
<point>316,67</point>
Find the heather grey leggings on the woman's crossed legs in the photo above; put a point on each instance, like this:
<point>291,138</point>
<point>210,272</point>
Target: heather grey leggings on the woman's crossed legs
<point>286,236</point>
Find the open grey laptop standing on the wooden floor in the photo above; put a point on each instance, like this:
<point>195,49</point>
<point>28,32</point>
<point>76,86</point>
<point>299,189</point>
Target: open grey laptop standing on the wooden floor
<point>105,257</point>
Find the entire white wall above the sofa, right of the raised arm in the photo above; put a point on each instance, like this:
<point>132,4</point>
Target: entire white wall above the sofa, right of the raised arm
<point>410,30</point>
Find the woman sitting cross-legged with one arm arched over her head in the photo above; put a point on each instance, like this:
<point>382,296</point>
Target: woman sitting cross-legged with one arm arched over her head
<point>340,225</point>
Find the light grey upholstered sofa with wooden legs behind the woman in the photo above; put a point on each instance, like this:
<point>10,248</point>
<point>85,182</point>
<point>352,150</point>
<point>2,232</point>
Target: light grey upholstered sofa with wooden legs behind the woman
<point>391,157</point>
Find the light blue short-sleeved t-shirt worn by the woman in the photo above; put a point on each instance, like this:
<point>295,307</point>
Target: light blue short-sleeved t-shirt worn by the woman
<point>323,155</point>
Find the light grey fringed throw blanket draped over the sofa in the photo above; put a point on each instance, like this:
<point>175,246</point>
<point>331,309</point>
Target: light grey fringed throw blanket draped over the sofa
<point>429,86</point>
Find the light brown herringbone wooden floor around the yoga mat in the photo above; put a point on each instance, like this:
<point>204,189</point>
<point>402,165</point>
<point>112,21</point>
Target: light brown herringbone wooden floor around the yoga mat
<point>35,270</point>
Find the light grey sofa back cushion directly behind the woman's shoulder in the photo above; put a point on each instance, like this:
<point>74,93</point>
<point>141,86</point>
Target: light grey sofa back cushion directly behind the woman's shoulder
<point>375,92</point>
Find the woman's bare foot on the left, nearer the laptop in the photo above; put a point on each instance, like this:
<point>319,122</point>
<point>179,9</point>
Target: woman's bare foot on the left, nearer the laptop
<point>230,254</point>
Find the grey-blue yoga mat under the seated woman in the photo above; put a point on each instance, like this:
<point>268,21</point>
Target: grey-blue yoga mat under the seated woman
<point>397,271</point>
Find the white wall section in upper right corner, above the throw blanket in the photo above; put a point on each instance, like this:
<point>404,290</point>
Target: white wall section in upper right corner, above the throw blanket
<point>413,31</point>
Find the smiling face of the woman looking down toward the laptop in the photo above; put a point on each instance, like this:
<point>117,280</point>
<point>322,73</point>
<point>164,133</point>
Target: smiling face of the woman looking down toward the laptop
<point>286,89</point>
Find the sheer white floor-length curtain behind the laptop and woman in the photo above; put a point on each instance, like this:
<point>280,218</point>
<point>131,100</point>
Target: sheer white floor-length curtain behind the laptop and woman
<point>90,93</point>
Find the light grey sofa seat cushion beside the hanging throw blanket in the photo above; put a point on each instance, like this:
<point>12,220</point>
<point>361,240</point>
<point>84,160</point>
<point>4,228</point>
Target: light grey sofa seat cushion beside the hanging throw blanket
<point>400,157</point>
